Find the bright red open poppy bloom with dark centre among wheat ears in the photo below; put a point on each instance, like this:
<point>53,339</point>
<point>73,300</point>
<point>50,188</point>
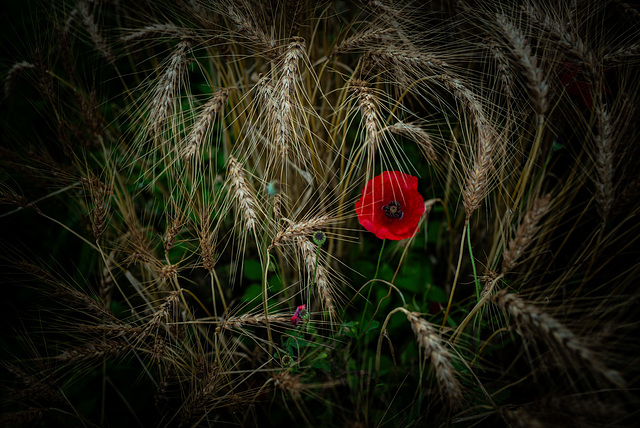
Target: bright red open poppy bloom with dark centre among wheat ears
<point>391,206</point>
